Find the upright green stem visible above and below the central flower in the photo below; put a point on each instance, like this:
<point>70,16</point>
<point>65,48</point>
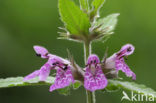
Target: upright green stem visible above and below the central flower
<point>87,52</point>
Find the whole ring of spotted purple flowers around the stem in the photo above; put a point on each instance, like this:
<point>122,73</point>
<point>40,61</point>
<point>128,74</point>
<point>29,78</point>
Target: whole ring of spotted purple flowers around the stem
<point>93,76</point>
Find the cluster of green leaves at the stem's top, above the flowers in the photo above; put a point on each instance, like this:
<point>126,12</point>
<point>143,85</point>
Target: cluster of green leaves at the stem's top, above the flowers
<point>81,24</point>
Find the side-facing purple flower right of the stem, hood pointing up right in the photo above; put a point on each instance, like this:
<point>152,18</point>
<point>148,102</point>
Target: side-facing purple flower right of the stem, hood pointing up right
<point>117,61</point>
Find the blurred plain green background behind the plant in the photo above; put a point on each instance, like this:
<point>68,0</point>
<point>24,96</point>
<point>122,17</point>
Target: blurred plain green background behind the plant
<point>24,23</point>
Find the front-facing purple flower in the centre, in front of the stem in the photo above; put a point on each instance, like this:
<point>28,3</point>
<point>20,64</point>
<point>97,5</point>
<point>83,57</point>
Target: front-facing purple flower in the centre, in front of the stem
<point>94,78</point>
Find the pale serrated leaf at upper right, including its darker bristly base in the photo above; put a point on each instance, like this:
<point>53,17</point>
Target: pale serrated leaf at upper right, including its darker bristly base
<point>103,28</point>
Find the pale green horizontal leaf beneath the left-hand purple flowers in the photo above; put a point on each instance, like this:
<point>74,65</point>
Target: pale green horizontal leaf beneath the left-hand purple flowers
<point>18,81</point>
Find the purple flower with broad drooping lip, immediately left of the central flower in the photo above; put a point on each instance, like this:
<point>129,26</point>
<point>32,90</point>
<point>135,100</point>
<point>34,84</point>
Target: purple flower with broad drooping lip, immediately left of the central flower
<point>64,75</point>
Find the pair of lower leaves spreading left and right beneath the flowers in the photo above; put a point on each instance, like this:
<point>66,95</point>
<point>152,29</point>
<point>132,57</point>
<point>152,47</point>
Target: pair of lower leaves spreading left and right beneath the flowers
<point>113,85</point>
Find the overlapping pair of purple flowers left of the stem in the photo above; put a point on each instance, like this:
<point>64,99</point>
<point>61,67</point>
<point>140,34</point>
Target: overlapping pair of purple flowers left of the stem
<point>62,66</point>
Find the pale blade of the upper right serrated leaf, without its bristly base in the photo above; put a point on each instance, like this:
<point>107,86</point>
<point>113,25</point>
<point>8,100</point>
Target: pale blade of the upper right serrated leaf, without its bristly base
<point>107,24</point>
